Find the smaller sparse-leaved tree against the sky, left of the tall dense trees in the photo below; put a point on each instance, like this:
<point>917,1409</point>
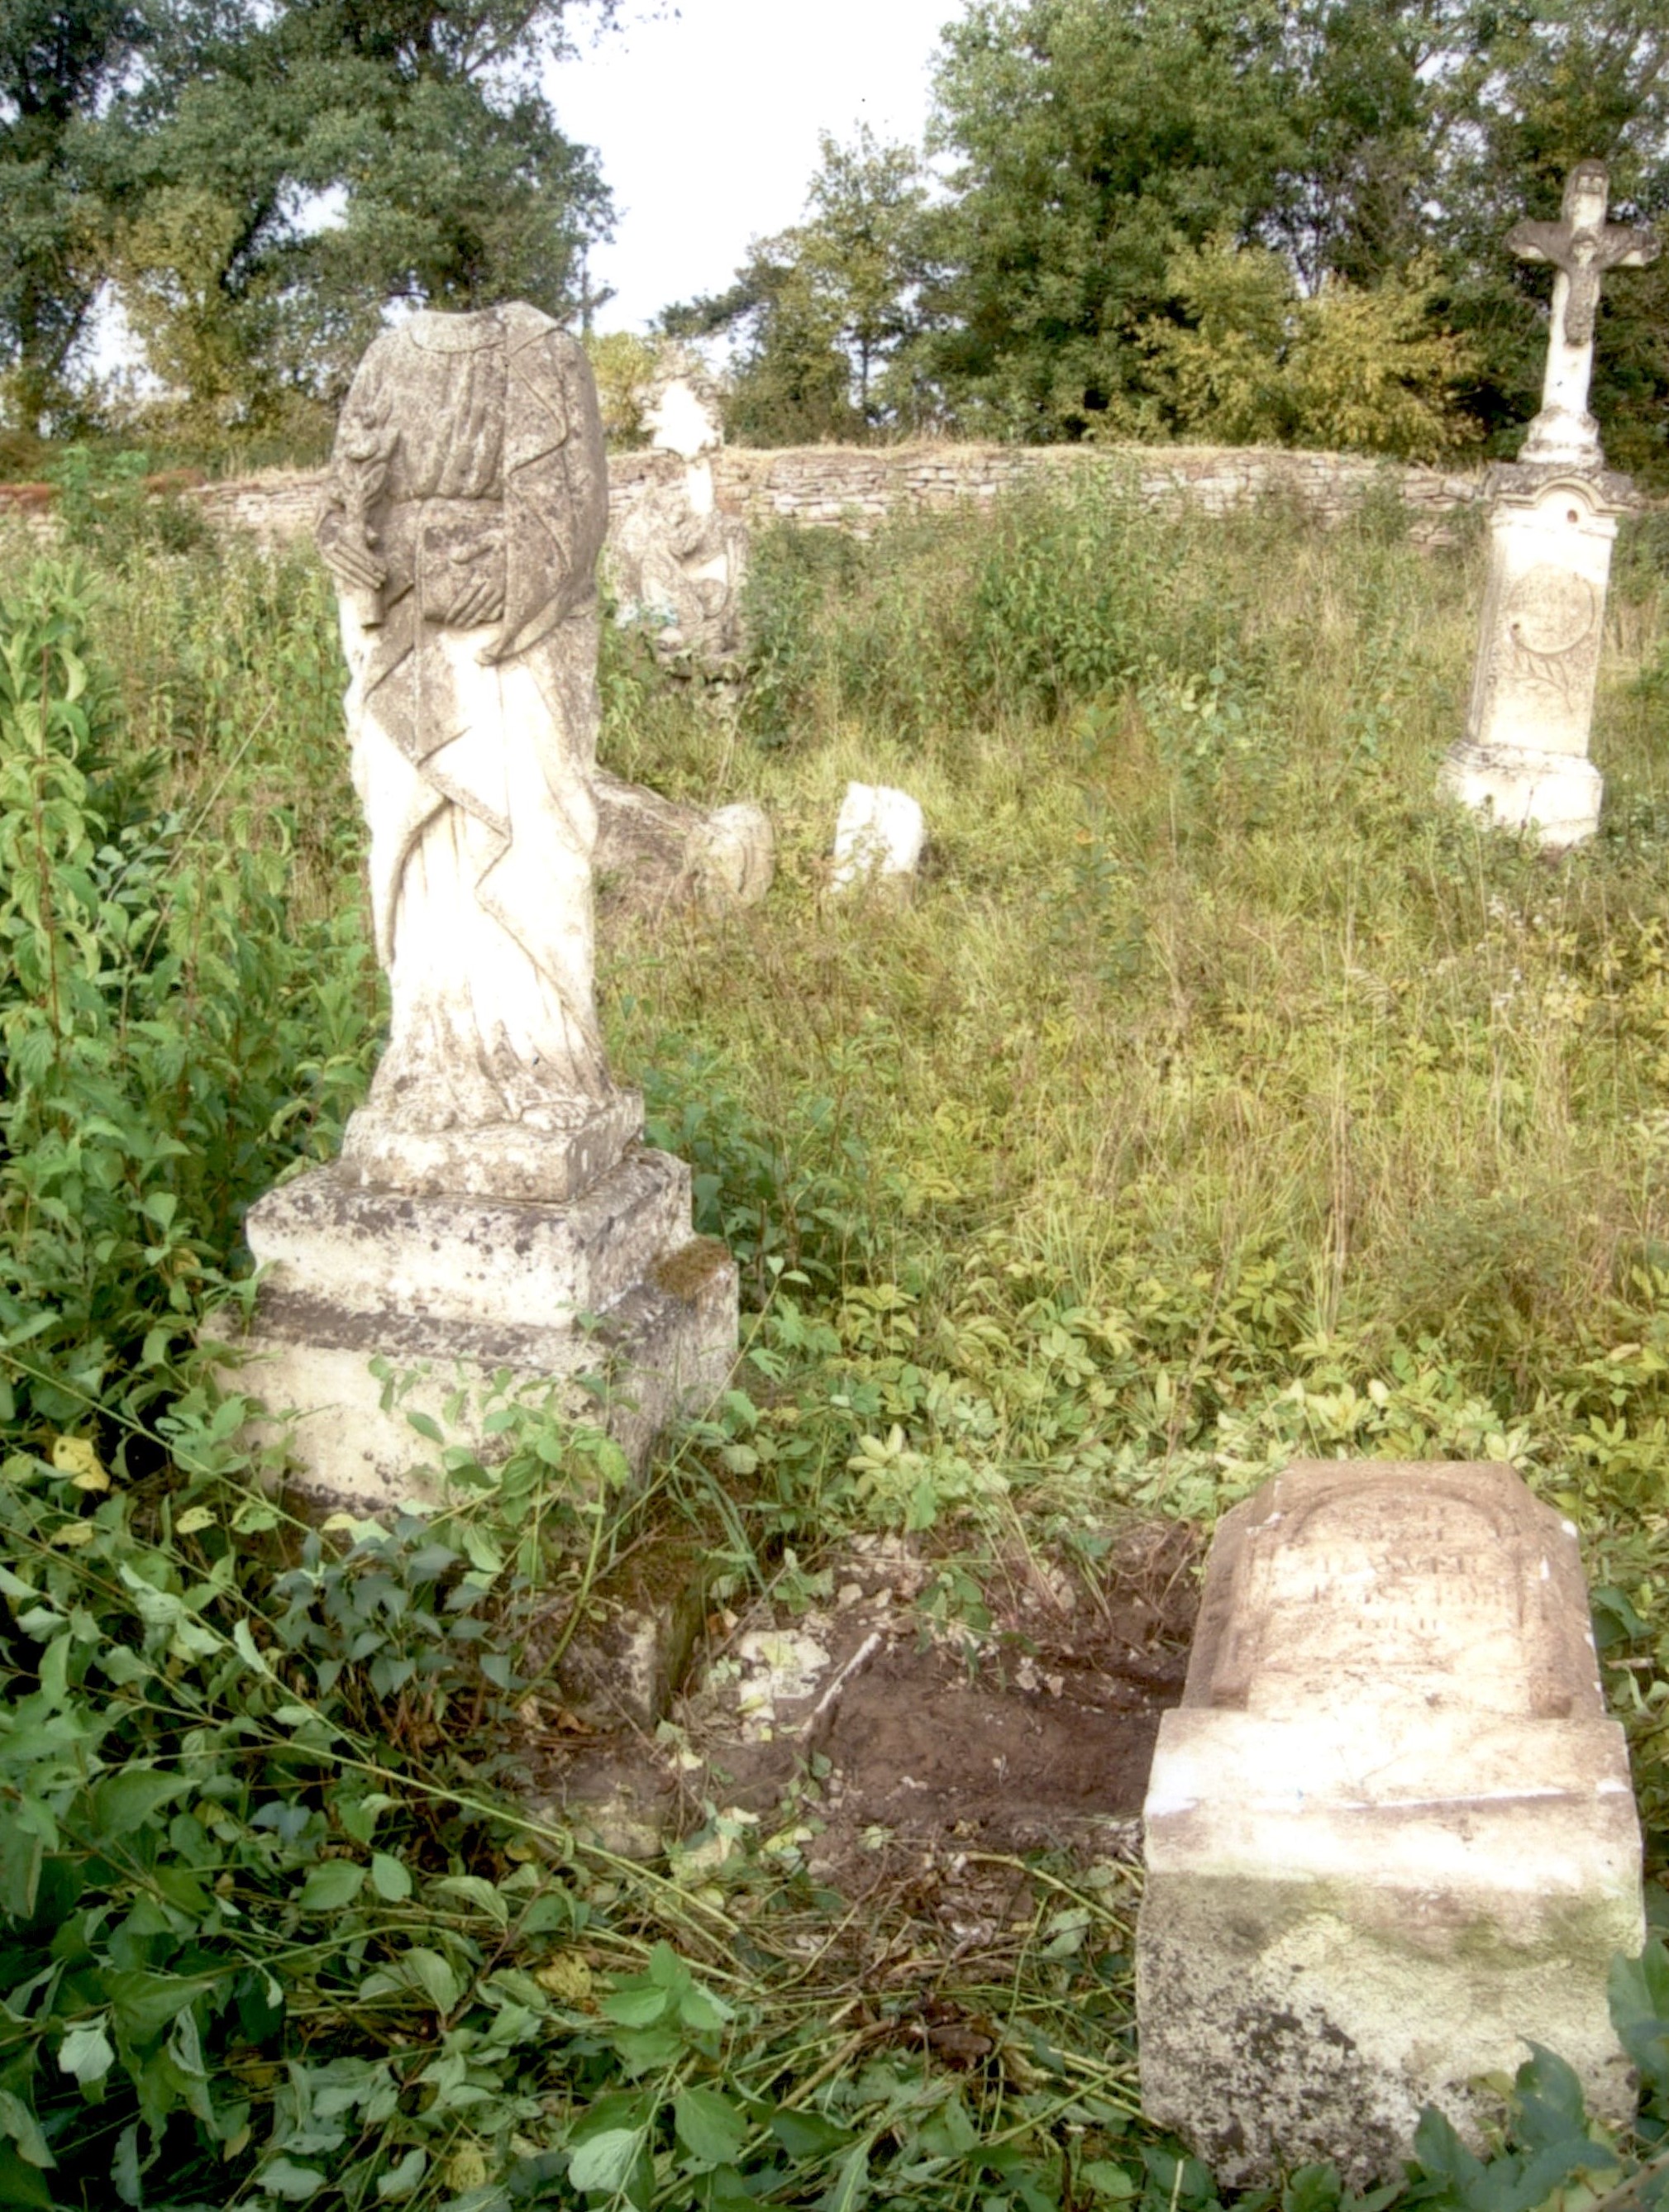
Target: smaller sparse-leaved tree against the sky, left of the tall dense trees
<point>829,315</point>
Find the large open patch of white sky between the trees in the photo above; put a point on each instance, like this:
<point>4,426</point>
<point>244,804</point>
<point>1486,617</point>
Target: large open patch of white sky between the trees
<point>707,127</point>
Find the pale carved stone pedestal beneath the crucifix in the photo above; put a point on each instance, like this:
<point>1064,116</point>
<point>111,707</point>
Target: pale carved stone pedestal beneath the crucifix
<point>1524,758</point>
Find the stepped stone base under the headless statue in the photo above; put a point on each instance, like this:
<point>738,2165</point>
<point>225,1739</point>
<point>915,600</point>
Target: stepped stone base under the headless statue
<point>466,1304</point>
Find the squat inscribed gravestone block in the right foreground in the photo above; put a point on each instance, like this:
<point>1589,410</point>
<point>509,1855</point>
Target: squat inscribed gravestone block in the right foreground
<point>1389,1833</point>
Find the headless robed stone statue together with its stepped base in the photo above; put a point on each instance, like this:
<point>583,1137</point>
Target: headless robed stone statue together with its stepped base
<point>495,1222</point>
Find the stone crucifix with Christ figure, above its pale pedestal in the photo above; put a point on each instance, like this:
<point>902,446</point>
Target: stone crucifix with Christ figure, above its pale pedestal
<point>1582,249</point>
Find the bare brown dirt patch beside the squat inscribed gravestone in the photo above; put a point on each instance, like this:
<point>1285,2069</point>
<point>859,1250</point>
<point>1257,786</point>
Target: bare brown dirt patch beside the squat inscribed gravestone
<point>909,1718</point>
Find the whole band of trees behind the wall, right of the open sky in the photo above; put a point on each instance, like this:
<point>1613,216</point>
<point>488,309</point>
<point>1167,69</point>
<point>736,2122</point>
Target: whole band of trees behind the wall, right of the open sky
<point>1223,218</point>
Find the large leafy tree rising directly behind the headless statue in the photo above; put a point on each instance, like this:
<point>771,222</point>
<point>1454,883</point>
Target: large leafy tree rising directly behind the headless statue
<point>273,171</point>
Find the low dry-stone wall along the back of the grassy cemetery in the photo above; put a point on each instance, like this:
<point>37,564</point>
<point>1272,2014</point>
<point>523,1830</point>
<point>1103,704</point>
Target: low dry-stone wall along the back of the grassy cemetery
<point>853,488</point>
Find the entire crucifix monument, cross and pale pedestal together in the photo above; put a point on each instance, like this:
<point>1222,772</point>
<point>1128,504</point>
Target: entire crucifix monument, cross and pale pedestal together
<point>1553,521</point>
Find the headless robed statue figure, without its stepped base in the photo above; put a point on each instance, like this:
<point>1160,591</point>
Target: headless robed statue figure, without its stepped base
<point>475,744</point>
